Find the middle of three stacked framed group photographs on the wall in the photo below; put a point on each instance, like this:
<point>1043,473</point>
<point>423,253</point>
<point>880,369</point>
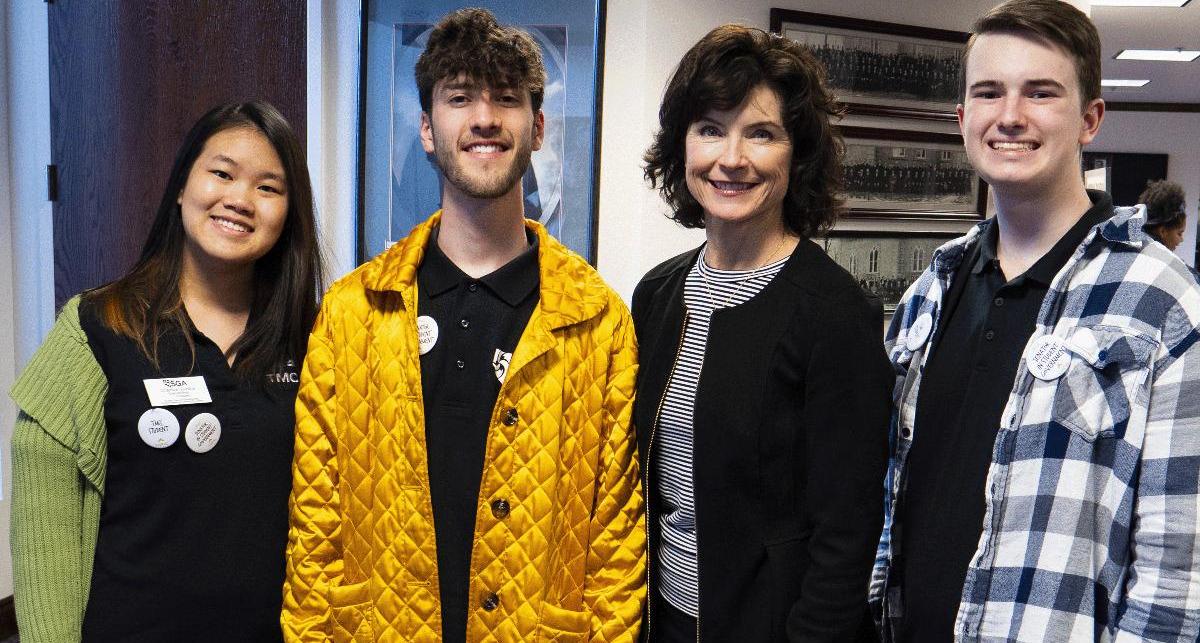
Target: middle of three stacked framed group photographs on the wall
<point>901,175</point>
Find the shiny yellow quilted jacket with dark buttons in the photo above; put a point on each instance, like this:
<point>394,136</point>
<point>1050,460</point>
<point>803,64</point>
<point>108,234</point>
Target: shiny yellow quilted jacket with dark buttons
<point>566,563</point>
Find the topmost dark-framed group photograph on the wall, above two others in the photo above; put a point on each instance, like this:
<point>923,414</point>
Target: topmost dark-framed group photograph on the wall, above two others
<point>883,69</point>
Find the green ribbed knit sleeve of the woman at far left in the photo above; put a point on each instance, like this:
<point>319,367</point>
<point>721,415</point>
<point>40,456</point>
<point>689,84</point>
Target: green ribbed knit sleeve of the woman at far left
<point>59,454</point>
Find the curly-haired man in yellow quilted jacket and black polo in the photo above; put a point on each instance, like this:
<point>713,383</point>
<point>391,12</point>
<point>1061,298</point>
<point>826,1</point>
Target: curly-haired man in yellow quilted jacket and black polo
<point>465,465</point>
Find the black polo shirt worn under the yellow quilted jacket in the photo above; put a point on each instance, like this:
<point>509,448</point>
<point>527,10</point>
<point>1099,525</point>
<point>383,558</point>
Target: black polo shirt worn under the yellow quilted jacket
<point>479,323</point>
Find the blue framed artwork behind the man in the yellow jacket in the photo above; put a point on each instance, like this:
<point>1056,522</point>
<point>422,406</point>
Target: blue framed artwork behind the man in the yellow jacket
<point>399,184</point>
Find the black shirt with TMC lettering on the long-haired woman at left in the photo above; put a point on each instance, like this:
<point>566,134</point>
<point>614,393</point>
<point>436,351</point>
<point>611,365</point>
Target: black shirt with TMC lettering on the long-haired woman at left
<point>191,545</point>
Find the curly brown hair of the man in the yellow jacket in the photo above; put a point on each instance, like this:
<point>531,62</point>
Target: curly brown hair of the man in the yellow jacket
<point>471,43</point>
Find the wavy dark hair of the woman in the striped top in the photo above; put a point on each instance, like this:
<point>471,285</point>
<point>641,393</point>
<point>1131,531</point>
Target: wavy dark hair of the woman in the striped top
<point>718,74</point>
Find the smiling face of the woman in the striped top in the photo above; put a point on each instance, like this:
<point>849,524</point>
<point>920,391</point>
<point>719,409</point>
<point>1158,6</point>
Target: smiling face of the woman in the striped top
<point>737,161</point>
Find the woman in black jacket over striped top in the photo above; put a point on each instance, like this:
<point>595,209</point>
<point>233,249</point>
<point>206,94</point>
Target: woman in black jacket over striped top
<point>764,394</point>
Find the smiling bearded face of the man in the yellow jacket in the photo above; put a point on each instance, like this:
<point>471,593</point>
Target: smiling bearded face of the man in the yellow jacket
<point>482,139</point>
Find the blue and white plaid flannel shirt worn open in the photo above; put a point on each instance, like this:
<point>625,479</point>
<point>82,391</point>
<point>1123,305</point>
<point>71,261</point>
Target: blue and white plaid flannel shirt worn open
<point>1091,531</point>
